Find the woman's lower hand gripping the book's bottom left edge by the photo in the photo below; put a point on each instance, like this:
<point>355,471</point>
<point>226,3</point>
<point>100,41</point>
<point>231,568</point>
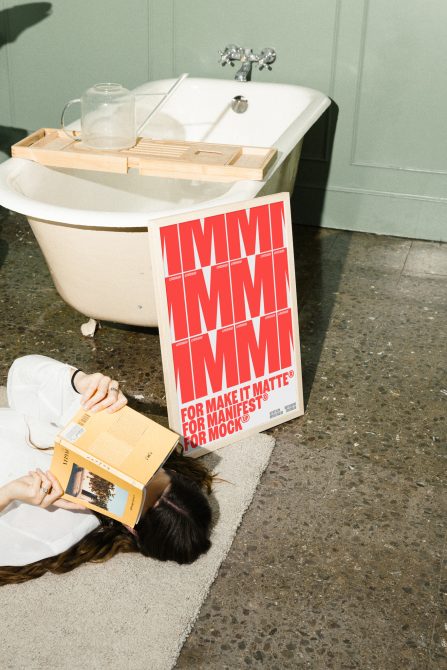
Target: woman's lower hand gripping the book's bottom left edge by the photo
<point>39,488</point>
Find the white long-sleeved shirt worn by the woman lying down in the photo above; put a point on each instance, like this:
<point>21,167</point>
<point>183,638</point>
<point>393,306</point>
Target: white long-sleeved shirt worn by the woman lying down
<point>41,401</point>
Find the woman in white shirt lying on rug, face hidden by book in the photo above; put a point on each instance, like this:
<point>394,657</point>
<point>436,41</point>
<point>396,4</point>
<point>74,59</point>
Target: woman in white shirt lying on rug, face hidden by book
<point>40,531</point>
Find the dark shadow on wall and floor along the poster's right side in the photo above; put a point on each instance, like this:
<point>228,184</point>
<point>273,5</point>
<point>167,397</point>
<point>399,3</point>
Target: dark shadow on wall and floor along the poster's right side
<point>317,277</point>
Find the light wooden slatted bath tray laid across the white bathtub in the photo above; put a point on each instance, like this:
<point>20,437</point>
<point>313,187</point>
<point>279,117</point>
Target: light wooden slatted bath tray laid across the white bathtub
<point>161,158</point>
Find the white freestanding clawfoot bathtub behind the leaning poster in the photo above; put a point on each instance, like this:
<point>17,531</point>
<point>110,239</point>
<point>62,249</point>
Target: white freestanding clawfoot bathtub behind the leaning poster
<point>92,226</point>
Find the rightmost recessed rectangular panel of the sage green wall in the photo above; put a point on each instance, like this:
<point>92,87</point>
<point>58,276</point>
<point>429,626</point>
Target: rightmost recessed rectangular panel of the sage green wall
<point>402,84</point>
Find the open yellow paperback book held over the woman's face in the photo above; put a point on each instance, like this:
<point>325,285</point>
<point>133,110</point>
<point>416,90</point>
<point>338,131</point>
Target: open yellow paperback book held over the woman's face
<point>104,460</point>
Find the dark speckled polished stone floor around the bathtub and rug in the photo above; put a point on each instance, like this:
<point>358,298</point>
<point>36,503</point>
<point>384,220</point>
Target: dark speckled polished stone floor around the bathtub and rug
<point>340,561</point>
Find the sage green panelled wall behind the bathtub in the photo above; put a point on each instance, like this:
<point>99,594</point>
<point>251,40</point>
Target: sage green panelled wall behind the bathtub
<point>383,63</point>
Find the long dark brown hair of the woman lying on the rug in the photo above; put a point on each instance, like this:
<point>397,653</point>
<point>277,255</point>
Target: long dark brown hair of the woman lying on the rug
<point>176,529</point>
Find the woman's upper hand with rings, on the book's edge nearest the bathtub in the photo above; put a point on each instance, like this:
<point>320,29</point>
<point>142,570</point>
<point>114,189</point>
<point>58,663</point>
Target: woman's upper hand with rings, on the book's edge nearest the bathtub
<point>99,392</point>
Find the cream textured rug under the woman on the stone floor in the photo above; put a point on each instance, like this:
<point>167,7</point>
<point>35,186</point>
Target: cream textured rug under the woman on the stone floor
<point>131,612</point>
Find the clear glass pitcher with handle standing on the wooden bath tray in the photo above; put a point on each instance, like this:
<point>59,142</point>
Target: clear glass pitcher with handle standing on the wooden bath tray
<point>107,117</point>
